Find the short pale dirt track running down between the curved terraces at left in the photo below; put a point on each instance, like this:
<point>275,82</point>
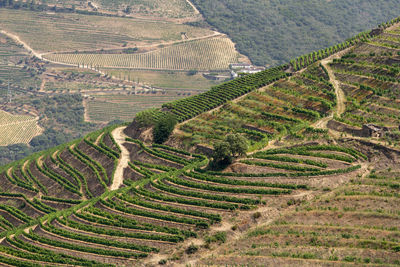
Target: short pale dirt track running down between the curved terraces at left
<point>119,137</point>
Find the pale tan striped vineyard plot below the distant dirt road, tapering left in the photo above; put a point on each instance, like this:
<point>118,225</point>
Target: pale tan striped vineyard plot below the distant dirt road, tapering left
<point>208,54</point>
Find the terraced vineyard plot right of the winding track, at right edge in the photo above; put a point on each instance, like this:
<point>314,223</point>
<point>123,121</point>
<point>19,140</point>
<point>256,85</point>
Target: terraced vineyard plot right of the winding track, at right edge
<point>369,77</point>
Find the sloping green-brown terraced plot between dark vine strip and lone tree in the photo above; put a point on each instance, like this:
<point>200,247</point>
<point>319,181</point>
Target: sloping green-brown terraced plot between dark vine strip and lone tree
<point>283,108</point>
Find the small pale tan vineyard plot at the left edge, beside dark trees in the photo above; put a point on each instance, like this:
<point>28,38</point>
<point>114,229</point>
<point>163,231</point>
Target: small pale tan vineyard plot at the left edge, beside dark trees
<point>17,129</point>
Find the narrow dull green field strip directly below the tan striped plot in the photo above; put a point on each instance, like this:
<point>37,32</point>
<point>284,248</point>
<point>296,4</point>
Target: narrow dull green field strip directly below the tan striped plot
<point>164,79</point>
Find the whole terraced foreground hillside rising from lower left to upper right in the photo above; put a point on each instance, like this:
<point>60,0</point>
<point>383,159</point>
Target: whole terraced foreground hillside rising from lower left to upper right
<point>302,195</point>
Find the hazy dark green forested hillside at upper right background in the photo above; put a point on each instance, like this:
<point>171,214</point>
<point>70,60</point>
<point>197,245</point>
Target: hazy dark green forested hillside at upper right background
<point>273,32</point>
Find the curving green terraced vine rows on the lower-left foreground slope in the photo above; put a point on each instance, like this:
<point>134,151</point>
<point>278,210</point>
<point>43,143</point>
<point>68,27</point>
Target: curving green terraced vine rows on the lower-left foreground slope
<point>166,200</point>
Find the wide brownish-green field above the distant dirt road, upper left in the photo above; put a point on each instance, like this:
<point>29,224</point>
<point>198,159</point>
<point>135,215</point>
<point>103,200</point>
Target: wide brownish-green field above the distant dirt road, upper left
<point>88,32</point>
